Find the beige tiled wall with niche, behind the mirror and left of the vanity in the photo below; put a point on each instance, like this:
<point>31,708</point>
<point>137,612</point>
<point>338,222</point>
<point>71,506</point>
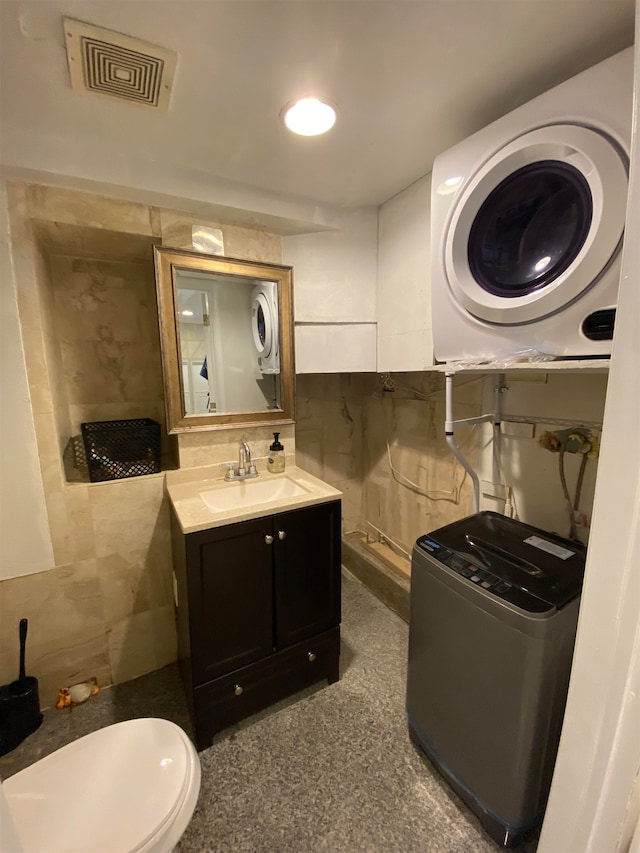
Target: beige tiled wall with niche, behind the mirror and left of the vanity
<point>91,345</point>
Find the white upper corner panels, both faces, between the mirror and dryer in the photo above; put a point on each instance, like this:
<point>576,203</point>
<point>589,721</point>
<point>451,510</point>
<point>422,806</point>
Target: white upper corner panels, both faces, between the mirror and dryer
<point>362,289</point>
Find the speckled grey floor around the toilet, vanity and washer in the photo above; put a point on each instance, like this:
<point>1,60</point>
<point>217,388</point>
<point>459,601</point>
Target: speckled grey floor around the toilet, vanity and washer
<point>331,769</point>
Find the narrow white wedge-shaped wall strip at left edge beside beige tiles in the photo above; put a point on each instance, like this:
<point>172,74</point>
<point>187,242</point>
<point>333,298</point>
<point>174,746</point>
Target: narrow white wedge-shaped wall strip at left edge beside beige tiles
<point>25,542</point>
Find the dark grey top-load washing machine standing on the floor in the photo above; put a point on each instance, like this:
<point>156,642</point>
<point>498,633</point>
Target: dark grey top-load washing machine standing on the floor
<point>494,610</point>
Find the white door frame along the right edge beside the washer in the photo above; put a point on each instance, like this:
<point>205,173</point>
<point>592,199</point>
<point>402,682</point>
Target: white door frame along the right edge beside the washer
<point>592,807</point>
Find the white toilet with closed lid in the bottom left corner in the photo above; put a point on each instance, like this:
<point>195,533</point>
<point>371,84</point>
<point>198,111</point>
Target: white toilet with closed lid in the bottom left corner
<point>131,786</point>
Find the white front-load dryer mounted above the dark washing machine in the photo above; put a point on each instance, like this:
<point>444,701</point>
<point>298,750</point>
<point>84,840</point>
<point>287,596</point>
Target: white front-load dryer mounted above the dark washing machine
<point>527,221</point>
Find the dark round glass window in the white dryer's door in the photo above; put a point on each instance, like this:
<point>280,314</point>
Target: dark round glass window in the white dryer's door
<point>530,229</point>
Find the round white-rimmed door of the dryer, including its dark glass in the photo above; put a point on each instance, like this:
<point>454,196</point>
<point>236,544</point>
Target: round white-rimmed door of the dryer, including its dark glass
<point>537,225</point>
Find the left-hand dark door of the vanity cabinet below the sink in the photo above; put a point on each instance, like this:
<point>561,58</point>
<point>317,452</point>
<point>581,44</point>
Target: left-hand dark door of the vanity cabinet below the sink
<point>230,580</point>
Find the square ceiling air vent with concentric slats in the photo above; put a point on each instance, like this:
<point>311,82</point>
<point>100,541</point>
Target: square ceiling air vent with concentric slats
<point>112,64</point>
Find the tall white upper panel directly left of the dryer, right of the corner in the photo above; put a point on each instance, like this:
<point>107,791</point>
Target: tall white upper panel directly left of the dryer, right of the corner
<point>404,288</point>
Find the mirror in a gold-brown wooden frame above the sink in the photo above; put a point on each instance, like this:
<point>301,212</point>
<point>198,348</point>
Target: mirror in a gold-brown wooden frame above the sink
<point>226,334</point>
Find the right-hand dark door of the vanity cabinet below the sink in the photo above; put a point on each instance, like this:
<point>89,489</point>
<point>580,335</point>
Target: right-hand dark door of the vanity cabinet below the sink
<point>307,572</point>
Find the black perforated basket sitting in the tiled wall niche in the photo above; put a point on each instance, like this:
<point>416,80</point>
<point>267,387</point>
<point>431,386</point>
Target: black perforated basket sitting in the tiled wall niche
<point>119,449</point>
